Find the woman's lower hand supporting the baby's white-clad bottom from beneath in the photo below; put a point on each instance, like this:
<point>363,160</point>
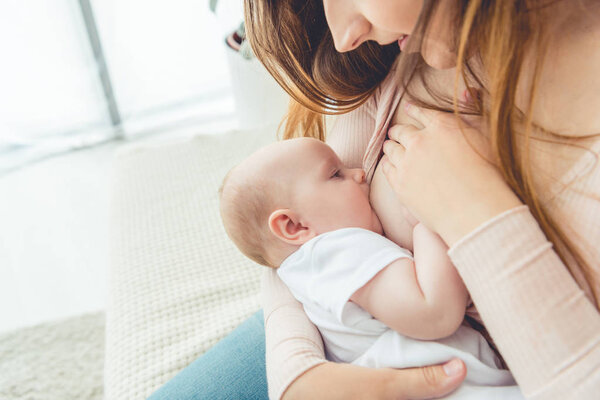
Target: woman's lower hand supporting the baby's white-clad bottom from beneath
<point>346,381</point>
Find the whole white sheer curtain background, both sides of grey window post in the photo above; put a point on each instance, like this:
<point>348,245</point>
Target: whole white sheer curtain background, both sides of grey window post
<point>165,59</point>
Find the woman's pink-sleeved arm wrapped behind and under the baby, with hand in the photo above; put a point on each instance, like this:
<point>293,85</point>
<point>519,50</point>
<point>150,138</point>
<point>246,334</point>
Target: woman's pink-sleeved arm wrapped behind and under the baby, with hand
<point>295,361</point>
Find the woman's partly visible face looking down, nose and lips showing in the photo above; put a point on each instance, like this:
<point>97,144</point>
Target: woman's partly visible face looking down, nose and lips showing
<point>353,22</point>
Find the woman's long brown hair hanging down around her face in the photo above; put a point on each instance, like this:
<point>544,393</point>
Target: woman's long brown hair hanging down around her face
<point>292,40</point>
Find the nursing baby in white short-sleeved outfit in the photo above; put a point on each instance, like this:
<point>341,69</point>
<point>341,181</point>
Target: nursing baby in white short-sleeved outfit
<point>294,206</point>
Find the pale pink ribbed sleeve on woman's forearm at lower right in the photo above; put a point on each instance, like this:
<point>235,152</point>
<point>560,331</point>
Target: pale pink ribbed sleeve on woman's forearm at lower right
<point>546,329</point>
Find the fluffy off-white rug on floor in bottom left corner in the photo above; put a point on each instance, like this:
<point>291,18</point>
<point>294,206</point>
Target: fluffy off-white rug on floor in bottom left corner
<point>60,360</point>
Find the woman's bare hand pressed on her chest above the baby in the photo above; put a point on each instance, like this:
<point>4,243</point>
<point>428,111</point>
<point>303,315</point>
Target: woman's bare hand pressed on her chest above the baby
<point>438,175</point>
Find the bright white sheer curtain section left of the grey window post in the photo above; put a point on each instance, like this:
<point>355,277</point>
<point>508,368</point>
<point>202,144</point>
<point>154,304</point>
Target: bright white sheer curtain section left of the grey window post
<point>49,90</point>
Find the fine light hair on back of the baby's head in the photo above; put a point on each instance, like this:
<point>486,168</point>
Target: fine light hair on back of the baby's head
<point>245,206</point>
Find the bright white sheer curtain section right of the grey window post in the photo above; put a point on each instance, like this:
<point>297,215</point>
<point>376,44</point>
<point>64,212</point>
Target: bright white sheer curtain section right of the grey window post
<point>166,60</point>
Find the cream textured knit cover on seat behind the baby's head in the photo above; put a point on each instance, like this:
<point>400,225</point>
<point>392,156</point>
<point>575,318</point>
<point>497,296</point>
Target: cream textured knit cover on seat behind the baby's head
<point>177,285</point>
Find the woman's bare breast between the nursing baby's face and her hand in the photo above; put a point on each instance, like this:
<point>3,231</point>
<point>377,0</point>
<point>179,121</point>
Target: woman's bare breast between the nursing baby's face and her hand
<point>390,211</point>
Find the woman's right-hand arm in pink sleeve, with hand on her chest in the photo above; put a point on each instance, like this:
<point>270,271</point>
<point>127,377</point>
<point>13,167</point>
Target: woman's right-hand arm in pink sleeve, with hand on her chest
<point>546,329</point>
